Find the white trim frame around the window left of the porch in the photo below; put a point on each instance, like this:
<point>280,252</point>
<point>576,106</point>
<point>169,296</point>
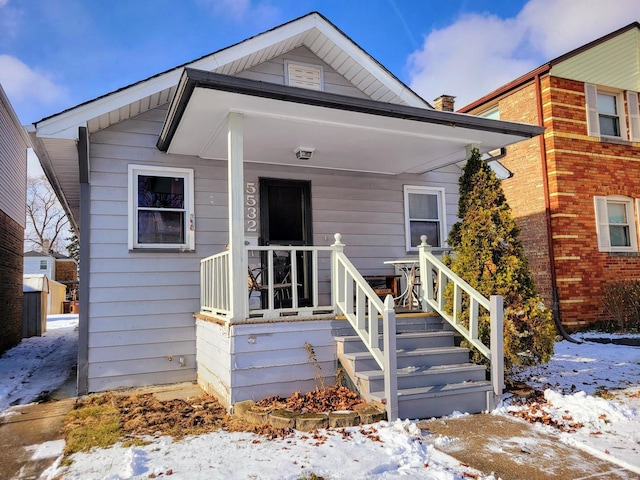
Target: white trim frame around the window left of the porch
<point>187,174</point>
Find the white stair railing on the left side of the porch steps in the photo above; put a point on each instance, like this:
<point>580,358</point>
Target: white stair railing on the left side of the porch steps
<point>355,299</point>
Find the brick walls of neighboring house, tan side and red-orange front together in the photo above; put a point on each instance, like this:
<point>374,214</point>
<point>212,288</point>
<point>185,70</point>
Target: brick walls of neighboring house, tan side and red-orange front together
<point>578,168</point>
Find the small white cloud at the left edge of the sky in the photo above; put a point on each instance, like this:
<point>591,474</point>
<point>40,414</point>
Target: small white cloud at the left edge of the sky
<point>24,84</point>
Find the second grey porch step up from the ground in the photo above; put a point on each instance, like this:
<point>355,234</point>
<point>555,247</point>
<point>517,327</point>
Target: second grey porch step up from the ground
<point>373,380</point>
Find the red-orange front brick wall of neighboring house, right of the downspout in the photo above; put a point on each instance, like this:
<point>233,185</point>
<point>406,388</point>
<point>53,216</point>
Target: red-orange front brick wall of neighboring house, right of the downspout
<point>580,168</point>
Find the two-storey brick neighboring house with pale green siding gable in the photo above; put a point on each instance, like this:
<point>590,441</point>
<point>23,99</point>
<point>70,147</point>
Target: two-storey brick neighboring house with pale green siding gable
<point>575,192</point>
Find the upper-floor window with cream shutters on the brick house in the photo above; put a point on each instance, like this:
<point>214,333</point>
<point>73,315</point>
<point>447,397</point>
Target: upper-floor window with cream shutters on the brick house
<point>606,113</point>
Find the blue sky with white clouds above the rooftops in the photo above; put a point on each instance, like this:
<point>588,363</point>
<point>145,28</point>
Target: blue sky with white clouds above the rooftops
<point>55,54</point>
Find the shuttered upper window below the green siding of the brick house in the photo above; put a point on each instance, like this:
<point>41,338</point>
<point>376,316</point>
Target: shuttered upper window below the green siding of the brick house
<point>606,114</point>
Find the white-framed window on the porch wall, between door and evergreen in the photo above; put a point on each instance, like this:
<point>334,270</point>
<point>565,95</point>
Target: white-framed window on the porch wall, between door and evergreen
<point>424,215</point>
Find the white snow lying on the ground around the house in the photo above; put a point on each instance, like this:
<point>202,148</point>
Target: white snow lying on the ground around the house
<point>602,425</point>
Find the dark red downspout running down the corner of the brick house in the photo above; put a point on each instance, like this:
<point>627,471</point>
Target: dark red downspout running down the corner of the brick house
<point>555,307</point>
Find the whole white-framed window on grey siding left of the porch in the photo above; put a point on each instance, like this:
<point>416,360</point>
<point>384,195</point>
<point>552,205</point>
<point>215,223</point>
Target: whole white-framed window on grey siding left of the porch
<point>160,207</point>
